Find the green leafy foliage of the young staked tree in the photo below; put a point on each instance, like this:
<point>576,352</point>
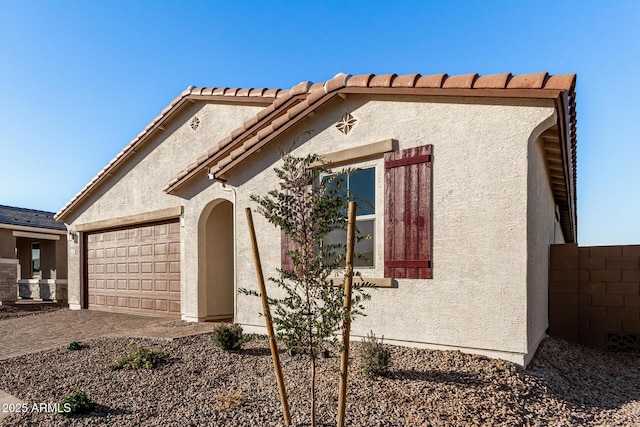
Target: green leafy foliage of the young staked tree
<point>309,204</point>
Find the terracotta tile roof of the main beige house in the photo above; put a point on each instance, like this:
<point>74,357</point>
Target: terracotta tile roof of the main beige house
<point>285,108</point>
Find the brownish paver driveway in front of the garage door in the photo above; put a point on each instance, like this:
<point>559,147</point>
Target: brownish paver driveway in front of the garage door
<point>32,334</point>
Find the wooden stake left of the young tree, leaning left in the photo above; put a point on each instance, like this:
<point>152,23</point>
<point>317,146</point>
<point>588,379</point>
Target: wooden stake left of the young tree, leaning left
<point>267,316</point>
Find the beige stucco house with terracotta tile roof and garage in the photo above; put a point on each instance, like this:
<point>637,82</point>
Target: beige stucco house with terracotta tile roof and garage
<point>471,177</point>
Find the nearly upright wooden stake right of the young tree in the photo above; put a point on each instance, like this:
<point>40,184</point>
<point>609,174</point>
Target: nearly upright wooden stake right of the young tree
<point>346,326</point>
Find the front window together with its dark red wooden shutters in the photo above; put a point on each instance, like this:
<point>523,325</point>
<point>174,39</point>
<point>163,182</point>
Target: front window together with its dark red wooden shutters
<point>403,235</point>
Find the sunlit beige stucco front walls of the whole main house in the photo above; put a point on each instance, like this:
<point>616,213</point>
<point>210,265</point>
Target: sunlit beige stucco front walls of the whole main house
<point>477,300</point>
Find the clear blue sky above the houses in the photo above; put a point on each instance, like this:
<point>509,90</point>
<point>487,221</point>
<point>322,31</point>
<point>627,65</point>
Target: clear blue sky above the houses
<point>80,79</point>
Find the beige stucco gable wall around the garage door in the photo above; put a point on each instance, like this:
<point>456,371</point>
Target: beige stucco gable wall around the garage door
<point>136,188</point>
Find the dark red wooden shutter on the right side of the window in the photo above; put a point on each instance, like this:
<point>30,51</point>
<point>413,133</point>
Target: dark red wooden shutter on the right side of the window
<point>407,226</point>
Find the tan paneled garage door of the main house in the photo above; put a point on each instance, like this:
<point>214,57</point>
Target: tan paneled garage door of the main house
<point>134,270</point>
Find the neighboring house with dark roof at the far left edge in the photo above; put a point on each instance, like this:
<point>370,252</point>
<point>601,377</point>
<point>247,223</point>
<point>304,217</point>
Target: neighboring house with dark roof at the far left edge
<point>33,256</point>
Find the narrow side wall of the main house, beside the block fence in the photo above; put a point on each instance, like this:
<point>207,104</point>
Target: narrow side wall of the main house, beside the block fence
<point>543,229</point>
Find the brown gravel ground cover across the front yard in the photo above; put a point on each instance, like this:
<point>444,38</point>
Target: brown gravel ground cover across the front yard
<point>565,385</point>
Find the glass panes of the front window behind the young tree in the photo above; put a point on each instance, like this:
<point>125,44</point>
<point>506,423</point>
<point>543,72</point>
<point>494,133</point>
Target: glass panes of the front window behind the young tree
<point>361,185</point>
